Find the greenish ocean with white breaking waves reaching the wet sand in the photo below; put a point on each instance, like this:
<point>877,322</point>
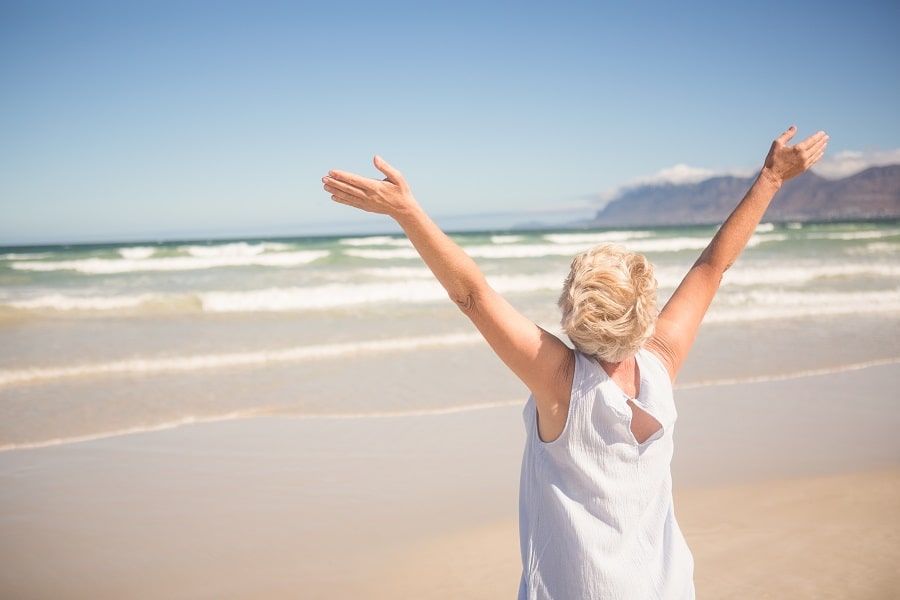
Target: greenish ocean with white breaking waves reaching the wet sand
<point>102,340</point>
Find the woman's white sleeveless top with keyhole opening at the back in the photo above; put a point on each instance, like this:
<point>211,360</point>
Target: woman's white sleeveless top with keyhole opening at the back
<point>596,516</point>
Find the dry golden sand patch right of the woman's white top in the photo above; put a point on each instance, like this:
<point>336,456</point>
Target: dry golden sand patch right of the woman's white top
<point>826,537</point>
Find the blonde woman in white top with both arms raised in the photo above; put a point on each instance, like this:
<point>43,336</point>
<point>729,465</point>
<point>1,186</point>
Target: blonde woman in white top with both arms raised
<point>596,513</point>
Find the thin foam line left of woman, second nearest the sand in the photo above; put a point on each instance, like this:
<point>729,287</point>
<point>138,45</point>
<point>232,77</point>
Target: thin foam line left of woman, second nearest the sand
<point>198,362</point>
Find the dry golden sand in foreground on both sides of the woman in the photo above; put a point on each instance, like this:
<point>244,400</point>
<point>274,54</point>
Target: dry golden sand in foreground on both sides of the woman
<point>827,537</point>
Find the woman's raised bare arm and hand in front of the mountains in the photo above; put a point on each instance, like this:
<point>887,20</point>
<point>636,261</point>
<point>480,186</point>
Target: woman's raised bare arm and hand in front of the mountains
<point>680,319</point>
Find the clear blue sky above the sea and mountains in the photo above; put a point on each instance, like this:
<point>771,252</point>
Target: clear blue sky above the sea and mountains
<point>152,120</point>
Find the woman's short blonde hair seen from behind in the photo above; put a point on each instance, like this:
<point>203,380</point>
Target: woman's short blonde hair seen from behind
<point>608,302</point>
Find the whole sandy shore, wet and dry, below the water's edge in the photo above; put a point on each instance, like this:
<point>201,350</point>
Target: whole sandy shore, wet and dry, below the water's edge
<point>785,489</point>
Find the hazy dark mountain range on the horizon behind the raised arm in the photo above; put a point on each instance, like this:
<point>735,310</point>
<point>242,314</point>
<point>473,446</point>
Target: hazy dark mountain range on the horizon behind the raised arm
<point>868,195</point>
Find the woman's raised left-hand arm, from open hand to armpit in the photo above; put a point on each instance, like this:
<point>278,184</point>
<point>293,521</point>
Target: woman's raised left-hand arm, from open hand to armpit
<point>541,360</point>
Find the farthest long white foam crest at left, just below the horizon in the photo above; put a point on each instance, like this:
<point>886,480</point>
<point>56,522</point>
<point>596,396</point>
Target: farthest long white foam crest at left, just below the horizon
<point>106,266</point>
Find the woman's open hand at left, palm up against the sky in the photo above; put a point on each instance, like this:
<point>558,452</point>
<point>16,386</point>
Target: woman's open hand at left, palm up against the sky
<point>389,196</point>
